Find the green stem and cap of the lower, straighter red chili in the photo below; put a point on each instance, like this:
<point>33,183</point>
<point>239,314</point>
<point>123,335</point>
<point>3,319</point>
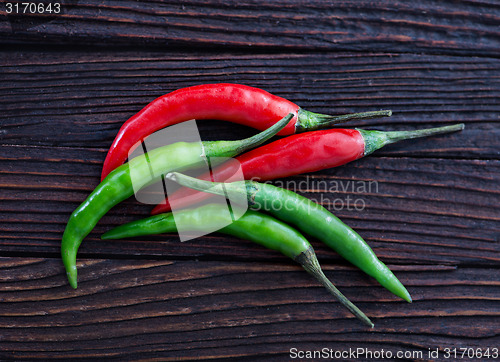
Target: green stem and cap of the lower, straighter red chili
<point>375,140</point>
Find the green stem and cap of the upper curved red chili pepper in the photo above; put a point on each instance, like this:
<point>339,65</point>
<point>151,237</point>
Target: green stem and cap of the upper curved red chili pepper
<point>308,121</point>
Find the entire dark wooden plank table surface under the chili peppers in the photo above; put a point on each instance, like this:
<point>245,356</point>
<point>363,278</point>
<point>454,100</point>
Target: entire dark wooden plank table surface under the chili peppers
<point>67,83</point>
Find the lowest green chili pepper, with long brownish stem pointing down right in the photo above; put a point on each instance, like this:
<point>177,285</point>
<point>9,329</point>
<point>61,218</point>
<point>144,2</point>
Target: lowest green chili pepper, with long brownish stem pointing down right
<point>254,226</point>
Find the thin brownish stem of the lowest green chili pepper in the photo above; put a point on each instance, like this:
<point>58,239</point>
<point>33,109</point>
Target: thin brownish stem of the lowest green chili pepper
<point>310,263</point>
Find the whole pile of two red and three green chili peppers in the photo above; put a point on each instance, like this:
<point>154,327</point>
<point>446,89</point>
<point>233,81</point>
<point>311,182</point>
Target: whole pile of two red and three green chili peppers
<point>283,229</point>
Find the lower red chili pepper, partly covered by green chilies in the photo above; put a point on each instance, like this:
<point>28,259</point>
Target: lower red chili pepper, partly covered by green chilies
<point>297,154</point>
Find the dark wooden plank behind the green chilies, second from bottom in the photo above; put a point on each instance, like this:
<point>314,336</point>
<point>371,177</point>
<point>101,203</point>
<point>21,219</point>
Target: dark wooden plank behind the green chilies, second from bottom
<point>411,210</point>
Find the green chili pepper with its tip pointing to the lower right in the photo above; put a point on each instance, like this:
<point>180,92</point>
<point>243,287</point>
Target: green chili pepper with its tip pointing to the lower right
<point>310,218</point>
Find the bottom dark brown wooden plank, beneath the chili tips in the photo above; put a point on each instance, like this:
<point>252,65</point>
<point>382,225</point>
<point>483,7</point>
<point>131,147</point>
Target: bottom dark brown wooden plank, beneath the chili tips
<point>163,309</point>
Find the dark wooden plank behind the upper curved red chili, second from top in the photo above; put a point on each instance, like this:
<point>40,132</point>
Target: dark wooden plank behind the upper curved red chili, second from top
<point>80,99</point>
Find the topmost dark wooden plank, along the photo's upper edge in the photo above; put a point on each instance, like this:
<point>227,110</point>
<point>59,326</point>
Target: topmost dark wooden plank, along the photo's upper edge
<point>465,27</point>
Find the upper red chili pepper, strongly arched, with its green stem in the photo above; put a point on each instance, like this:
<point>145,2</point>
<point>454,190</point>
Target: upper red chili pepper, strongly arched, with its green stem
<point>236,103</point>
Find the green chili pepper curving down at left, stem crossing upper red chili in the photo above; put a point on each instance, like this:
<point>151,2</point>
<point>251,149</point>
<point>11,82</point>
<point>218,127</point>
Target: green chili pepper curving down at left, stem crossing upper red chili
<point>117,186</point>
